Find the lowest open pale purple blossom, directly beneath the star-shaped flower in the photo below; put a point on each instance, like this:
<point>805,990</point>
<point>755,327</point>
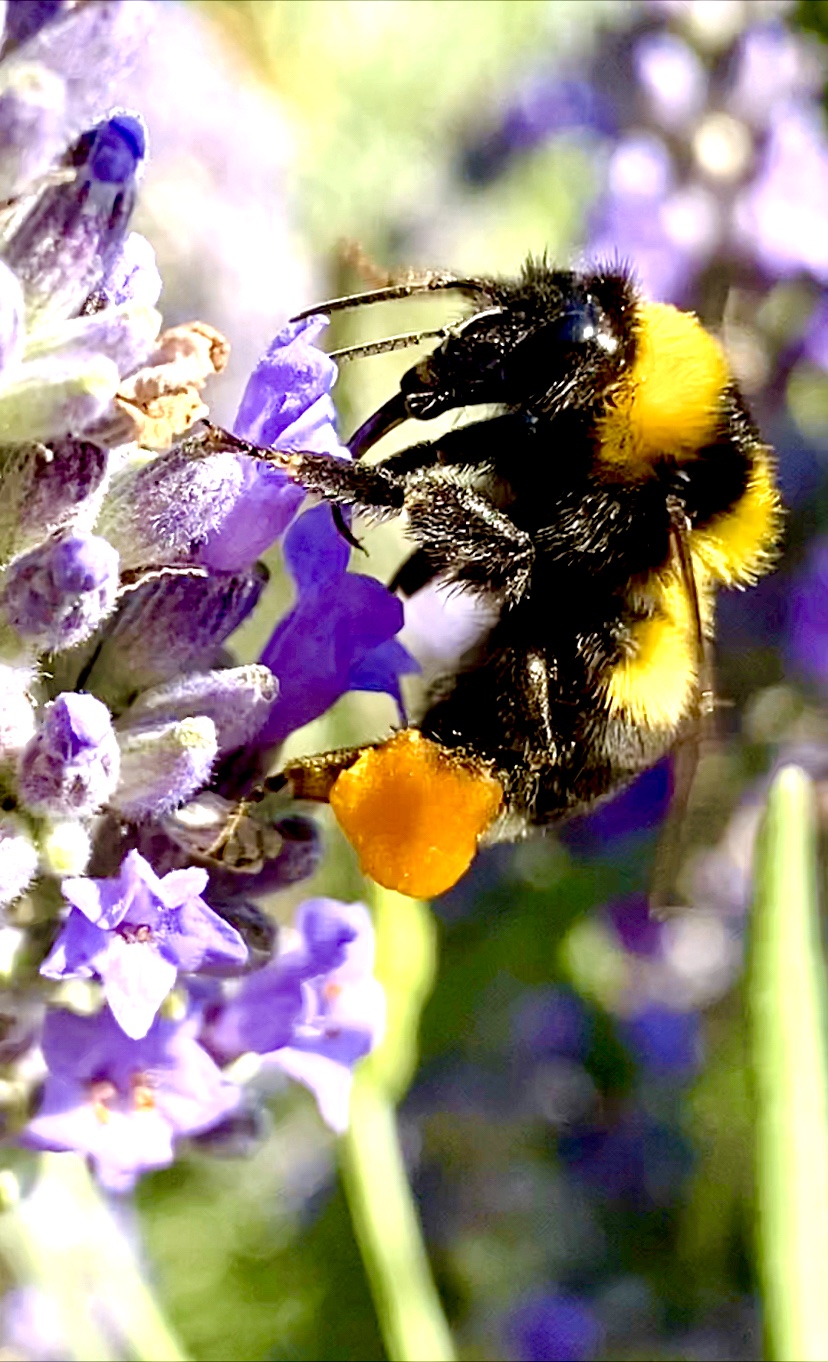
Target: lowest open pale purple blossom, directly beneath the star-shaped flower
<point>125,1103</point>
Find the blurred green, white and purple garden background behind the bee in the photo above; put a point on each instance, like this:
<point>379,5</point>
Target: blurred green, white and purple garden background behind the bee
<point>578,1133</point>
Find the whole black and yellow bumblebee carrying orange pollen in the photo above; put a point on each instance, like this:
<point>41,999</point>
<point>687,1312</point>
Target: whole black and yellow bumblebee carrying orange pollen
<point>615,483</point>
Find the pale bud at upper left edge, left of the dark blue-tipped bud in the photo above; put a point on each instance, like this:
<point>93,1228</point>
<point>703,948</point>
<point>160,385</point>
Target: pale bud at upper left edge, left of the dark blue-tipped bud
<point>32,126</point>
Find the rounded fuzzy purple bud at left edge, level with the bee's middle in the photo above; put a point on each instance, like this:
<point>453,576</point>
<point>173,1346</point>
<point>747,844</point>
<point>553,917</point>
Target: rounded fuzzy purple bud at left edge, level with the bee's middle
<point>58,596</point>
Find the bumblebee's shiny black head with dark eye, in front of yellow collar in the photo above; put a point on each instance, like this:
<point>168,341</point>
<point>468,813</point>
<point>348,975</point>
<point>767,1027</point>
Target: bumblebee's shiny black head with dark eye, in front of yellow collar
<point>550,343</point>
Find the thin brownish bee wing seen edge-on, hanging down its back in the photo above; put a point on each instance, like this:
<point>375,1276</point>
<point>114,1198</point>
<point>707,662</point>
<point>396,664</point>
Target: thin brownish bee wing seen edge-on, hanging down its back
<point>698,735</point>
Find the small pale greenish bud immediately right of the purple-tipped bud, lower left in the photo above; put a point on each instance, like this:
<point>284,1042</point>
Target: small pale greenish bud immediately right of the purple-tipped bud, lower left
<point>164,766</point>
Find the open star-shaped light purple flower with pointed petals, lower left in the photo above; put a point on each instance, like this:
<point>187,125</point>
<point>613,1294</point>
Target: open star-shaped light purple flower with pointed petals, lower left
<point>136,934</point>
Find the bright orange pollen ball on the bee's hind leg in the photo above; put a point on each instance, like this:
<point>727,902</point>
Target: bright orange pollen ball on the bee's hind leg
<point>415,814</point>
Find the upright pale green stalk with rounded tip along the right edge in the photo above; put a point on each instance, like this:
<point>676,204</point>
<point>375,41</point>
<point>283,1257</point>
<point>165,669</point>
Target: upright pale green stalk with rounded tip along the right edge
<point>786,991</point>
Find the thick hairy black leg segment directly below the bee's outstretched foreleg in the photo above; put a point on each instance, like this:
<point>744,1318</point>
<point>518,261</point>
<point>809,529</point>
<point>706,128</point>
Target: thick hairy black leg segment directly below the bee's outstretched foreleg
<point>468,540</point>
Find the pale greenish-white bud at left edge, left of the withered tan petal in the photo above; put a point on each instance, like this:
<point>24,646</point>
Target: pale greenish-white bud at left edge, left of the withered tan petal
<point>52,398</point>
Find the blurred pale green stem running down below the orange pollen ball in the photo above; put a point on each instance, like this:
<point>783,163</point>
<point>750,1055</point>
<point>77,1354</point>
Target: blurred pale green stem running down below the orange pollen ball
<point>383,1213</point>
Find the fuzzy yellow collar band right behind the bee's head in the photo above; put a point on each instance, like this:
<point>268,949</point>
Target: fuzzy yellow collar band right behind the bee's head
<point>669,401</point>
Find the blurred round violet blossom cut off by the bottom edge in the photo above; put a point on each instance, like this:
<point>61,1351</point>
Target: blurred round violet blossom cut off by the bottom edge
<point>554,1329</point>
